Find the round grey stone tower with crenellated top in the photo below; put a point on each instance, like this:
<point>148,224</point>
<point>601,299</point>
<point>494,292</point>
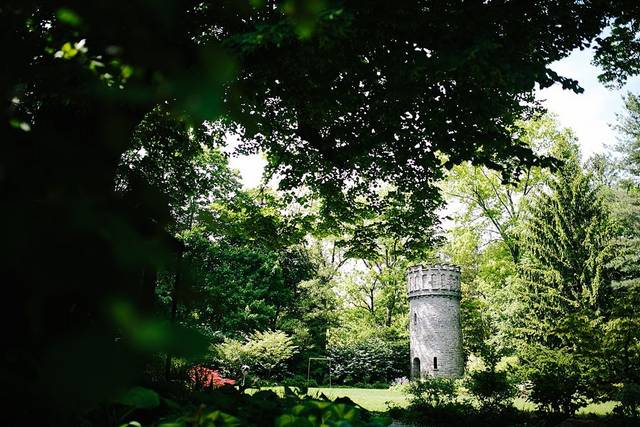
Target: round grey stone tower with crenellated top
<point>435,329</point>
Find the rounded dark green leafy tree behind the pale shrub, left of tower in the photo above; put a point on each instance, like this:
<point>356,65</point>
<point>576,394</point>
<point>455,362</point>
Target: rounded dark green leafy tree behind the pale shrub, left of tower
<point>244,267</point>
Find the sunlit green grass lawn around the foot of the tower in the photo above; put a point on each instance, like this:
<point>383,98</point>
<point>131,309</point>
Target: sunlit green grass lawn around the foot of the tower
<point>378,399</point>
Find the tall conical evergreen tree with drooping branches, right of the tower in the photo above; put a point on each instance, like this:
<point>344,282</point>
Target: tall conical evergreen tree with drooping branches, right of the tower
<point>565,286</point>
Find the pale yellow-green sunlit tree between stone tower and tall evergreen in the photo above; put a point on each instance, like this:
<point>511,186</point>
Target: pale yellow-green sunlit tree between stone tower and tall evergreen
<point>486,238</point>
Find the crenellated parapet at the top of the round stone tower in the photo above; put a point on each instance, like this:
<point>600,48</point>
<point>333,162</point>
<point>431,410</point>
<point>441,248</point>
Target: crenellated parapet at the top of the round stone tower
<point>433,280</point>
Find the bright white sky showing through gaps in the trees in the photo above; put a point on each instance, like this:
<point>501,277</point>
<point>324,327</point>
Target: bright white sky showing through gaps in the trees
<point>589,114</point>
